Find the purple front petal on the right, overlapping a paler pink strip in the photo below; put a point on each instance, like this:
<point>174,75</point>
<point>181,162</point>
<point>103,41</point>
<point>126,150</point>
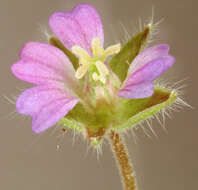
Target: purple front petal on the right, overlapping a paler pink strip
<point>139,84</point>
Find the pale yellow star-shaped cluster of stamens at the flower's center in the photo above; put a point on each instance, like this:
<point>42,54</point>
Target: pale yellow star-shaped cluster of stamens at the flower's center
<point>94,63</point>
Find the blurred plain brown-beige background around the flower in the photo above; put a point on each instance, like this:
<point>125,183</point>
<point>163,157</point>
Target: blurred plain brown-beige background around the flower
<point>51,161</point>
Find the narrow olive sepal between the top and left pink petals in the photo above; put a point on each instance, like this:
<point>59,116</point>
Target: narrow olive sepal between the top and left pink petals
<point>57,43</point>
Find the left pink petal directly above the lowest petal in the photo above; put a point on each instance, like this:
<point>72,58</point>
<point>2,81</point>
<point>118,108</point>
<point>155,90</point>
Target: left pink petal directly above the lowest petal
<point>42,63</point>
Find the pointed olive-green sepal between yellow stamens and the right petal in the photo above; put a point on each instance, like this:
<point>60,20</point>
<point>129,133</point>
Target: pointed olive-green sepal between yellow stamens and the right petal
<point>121,61</point>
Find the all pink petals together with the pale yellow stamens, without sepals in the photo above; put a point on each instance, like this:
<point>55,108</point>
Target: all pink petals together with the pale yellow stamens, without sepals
<point>58,88</point>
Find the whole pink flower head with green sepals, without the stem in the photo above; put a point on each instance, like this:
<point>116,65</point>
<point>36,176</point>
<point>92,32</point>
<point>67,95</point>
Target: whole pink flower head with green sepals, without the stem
<point>77,86</point>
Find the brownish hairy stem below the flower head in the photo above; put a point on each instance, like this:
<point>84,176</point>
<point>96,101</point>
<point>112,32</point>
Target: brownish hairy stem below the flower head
<point>121,155</point>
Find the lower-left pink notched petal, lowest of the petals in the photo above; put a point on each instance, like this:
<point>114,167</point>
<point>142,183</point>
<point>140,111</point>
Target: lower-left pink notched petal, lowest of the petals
<point>46,104</point>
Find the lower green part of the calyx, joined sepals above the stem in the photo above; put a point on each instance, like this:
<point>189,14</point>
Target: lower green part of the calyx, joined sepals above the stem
<point>124,115</point>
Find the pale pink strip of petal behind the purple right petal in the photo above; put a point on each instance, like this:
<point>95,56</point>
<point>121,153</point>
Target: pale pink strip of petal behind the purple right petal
<point>148,55</point>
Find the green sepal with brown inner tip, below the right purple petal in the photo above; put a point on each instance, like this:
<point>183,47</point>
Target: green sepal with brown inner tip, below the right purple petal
<point>133,111</point>
